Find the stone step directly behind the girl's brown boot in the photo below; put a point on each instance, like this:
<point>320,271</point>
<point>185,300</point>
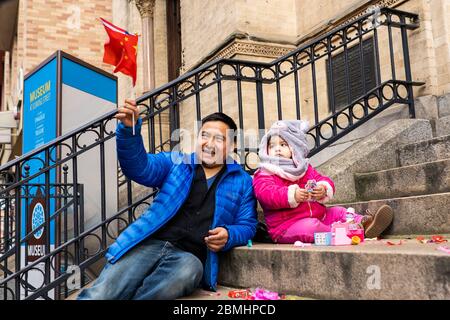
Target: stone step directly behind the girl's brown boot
<point>428,214</point>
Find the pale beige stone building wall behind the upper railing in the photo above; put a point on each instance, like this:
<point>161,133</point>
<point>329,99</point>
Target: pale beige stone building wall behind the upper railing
<point>256,38</point>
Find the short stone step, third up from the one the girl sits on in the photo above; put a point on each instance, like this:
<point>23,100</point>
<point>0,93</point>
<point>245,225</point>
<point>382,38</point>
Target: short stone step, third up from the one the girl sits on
<point>425,151</point>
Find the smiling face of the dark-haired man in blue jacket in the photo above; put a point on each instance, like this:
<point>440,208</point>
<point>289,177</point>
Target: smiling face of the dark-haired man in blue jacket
<point>213,144</point>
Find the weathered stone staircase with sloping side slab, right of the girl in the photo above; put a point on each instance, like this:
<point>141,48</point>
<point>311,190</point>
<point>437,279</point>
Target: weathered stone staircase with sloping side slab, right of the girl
<point>405,164</point>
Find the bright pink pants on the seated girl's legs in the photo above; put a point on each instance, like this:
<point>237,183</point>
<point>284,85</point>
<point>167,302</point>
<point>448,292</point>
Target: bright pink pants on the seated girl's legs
<point>303,229</point>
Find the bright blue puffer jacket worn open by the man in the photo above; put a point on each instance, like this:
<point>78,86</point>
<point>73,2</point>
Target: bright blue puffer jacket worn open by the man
<point>172,173</point>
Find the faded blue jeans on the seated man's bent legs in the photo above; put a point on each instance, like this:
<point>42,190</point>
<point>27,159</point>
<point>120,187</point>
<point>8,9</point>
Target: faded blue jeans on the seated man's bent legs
<point>154,269</point>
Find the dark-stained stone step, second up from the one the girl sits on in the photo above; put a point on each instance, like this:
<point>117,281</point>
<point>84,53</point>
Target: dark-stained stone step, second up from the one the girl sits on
<point>418,179</point>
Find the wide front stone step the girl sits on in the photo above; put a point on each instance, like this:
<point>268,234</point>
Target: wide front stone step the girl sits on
<point>371,270</point>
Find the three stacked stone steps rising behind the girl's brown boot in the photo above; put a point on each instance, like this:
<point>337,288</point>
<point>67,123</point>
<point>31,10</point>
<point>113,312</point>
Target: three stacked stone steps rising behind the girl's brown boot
<point>418,190</point>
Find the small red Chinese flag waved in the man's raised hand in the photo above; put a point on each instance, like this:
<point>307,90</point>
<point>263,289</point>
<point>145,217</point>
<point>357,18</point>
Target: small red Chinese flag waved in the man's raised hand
<point>121,50</point>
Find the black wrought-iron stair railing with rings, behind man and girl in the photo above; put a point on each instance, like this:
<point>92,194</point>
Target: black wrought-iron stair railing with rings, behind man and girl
<point>254,93</point>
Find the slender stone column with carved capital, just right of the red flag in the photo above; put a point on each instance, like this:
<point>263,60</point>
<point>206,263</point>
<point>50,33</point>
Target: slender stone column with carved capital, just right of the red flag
<point>146,9</point>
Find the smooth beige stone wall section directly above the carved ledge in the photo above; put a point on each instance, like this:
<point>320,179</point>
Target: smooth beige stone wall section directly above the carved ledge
<point>206,25</point>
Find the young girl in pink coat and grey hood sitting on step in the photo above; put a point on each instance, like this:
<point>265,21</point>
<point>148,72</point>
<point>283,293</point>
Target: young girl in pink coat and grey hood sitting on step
<point>291,212</point>
